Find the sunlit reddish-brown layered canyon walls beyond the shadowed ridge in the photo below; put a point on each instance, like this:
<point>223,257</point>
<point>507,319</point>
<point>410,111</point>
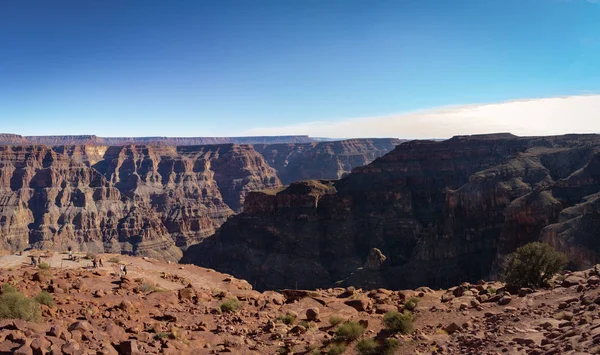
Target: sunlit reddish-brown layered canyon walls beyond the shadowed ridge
<point>148,199</point>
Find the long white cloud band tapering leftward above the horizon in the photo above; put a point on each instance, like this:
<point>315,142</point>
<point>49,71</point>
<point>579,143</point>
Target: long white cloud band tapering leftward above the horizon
<point>534,117</point>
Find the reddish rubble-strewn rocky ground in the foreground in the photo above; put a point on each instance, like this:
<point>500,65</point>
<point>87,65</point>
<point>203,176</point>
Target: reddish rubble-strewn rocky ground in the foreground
<point>162,308</point>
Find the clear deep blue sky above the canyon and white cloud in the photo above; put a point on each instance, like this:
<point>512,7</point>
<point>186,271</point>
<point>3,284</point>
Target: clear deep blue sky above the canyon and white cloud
<point>202,68</point>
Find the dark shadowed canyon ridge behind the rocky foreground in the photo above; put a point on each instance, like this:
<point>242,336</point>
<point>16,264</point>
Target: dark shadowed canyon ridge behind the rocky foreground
<point>441,212</point>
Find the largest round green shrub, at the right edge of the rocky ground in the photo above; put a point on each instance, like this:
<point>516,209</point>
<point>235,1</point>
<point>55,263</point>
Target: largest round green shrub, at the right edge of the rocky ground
<point>533,265</point>
